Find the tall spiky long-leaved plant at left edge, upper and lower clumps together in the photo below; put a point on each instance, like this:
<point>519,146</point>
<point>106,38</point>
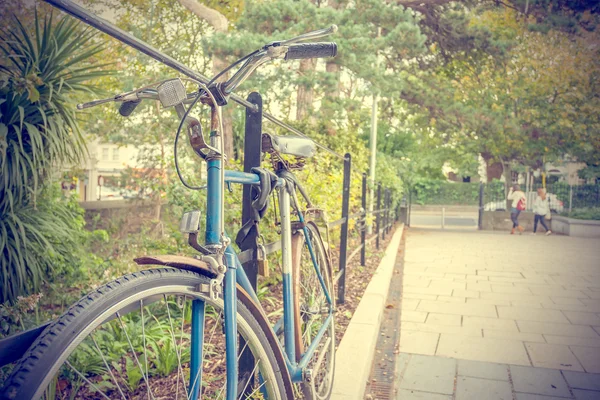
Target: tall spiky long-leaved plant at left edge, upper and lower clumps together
<point>41,70</point>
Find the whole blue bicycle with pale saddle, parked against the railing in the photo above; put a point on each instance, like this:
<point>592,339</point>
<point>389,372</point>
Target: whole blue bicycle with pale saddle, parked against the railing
<point>81,354</point>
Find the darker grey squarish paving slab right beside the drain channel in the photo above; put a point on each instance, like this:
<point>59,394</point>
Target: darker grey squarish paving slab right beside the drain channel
<point>431,374</point>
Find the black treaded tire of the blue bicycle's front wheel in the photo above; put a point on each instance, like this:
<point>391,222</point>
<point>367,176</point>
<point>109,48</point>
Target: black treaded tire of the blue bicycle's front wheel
<point>42,361</point>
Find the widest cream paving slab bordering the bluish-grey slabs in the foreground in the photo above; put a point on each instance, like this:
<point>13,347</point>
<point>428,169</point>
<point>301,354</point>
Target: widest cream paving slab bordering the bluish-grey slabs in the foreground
<point>482,349</point>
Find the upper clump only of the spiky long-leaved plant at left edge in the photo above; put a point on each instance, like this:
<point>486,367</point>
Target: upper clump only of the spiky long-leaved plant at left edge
<point>38,78</point>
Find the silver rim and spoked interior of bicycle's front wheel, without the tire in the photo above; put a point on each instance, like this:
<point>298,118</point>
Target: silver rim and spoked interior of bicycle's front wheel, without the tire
<point>153,353</point>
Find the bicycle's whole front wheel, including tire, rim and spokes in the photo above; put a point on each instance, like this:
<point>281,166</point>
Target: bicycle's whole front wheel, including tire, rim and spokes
<point>132,339</point>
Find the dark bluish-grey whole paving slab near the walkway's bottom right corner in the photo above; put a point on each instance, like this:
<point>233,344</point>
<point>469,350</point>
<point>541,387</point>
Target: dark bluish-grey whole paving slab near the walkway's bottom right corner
<point>539,381</point>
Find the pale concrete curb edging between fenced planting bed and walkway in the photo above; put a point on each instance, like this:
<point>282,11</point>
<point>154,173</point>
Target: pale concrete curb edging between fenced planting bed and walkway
<point>355,353</point>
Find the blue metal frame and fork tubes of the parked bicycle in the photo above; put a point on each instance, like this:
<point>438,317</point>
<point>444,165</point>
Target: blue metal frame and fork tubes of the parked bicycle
<point>236,274</point>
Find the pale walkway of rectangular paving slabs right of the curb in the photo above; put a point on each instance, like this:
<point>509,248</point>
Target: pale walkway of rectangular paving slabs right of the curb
<point>525,306</point>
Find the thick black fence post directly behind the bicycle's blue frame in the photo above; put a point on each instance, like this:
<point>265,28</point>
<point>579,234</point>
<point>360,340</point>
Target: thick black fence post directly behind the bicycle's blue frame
<point>252,154</point>
